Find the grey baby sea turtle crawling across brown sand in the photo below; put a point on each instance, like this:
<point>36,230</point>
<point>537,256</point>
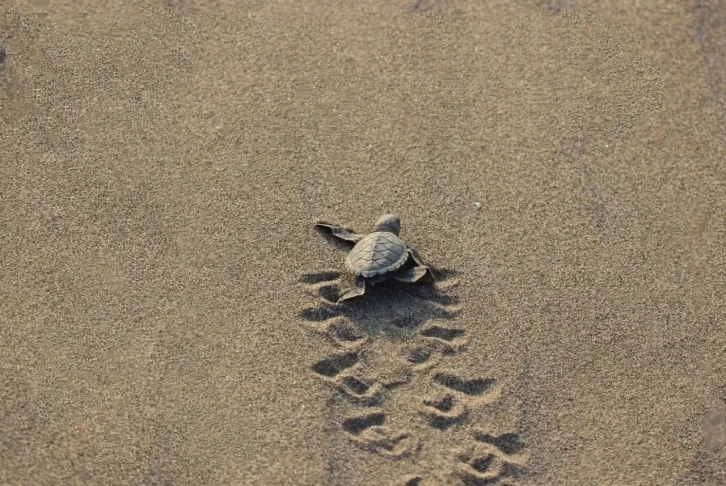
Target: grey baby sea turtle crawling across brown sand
<point>379,256</point>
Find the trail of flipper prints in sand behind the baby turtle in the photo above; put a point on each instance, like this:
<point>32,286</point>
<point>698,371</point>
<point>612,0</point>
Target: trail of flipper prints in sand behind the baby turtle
<point>390,350</point>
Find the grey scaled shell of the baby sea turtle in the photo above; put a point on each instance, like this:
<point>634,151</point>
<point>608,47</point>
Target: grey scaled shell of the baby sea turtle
<point>377,253</point>
